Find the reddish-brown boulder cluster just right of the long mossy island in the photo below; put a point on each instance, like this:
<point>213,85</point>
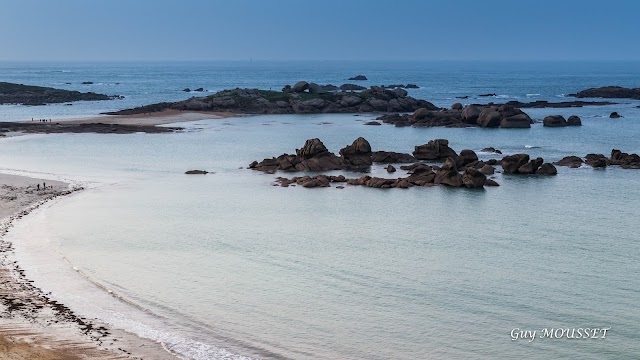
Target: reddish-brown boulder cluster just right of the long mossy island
<point>491,116</point>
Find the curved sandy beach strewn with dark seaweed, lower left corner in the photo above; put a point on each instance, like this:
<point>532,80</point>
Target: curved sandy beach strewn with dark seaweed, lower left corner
<point>35,326</point>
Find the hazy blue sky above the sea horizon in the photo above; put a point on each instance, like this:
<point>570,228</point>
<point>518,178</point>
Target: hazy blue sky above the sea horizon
<point>194,30</point>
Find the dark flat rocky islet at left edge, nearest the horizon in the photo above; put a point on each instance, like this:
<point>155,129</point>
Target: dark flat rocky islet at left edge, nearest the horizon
<point>38,95</point>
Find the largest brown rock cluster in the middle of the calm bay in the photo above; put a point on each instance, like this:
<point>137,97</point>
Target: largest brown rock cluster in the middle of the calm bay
<point>458,170</point>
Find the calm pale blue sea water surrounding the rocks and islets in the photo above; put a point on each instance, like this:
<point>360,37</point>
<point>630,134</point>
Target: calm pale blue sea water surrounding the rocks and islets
<point>227,266</point>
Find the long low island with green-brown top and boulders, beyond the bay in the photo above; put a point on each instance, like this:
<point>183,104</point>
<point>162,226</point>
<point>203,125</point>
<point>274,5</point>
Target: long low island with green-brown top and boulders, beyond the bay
<point>254,101</point>
